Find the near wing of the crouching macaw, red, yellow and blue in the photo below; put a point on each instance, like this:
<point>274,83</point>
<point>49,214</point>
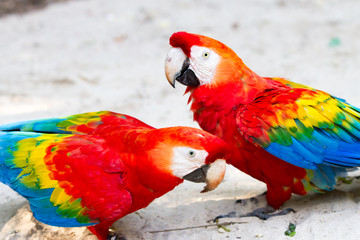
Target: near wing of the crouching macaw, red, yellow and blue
<point>69,180</point>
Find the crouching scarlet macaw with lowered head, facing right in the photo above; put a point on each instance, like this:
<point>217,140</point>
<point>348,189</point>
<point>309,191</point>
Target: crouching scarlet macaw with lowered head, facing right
<point>92,169</point>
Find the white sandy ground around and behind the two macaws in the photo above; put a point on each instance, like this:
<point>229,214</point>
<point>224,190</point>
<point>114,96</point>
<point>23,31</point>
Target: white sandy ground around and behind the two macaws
<point>95,55</point>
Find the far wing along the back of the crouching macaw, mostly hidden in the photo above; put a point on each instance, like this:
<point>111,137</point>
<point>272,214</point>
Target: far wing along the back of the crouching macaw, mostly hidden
<point>85,123</point>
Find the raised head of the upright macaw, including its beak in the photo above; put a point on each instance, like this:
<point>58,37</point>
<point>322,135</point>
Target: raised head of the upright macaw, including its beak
<point>196,60</point>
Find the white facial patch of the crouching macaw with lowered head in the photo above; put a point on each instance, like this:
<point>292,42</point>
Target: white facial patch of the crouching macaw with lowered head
<point>186,160</point>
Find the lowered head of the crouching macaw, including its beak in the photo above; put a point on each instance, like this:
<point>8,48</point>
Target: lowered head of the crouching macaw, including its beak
<point>191,154</point>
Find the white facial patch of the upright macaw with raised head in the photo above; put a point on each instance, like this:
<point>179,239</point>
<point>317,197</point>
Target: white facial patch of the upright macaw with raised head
<point>203,62</point>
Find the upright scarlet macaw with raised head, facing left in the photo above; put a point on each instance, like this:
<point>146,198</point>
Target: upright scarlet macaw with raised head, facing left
<point>292,137</point>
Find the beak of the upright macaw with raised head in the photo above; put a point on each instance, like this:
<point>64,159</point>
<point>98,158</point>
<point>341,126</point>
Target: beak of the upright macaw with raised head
<point>177,69</point>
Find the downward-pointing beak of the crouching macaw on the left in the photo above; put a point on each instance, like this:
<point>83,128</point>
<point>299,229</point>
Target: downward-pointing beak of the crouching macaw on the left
<point>212,174</point>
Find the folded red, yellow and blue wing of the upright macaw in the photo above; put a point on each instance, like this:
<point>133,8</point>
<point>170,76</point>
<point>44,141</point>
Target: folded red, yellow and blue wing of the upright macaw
<point>303,127</point>
